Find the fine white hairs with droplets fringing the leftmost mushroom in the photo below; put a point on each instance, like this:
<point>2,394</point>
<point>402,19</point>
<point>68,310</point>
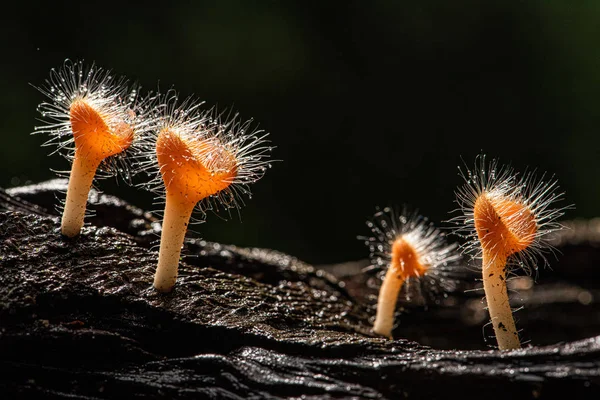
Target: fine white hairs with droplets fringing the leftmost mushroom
<point>116,99</point>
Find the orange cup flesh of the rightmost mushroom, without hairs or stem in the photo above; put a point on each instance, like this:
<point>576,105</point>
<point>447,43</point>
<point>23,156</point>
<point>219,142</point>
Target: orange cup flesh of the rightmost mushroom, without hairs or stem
<point>504,226</point>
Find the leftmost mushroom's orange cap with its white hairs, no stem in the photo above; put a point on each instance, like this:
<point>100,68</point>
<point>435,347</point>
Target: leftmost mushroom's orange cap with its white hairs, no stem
<point>95,115</point>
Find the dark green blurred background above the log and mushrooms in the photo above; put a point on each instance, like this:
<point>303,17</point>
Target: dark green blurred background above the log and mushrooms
<point>368,102</point>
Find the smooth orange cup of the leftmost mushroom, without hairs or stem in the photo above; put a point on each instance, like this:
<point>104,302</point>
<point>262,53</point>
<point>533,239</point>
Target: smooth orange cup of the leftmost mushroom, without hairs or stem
<point>93,136</point>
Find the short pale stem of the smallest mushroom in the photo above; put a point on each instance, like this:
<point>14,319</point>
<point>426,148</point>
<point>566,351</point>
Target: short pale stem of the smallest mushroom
<point>386,303</point>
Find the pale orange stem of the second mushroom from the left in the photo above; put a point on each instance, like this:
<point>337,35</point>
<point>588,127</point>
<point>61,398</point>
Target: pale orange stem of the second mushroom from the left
<point>176,218</point>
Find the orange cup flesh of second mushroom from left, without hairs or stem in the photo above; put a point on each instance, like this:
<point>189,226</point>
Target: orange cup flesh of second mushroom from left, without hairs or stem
<point>194,168</point>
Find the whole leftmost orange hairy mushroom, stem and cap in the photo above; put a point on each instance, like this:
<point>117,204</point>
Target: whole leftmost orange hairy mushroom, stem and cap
<point>94,117</point>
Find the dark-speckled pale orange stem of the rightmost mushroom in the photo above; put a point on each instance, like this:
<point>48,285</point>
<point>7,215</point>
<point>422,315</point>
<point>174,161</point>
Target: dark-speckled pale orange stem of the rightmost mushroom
<point>496,294</point>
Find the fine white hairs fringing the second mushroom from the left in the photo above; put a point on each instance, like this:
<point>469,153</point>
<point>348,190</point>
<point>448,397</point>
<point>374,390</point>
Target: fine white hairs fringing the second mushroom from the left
<point>225,132</point>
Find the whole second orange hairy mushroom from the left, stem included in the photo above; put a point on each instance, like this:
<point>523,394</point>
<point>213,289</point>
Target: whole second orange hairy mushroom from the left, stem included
<point>199,159</point>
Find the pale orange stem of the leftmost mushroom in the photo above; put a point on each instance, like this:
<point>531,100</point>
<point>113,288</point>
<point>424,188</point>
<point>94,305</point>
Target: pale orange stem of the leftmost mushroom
<point>83,171</point>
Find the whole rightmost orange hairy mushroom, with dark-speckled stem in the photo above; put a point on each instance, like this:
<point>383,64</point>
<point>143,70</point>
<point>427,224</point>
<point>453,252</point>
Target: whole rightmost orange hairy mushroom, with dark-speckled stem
<point>507,218</point>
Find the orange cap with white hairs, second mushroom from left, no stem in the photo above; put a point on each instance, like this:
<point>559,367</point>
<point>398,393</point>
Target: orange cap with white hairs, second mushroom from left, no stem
<point>201,156</point>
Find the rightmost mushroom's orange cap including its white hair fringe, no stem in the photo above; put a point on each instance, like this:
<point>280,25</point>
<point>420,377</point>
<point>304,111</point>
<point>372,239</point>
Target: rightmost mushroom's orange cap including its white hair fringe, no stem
<point>507,214</point>
